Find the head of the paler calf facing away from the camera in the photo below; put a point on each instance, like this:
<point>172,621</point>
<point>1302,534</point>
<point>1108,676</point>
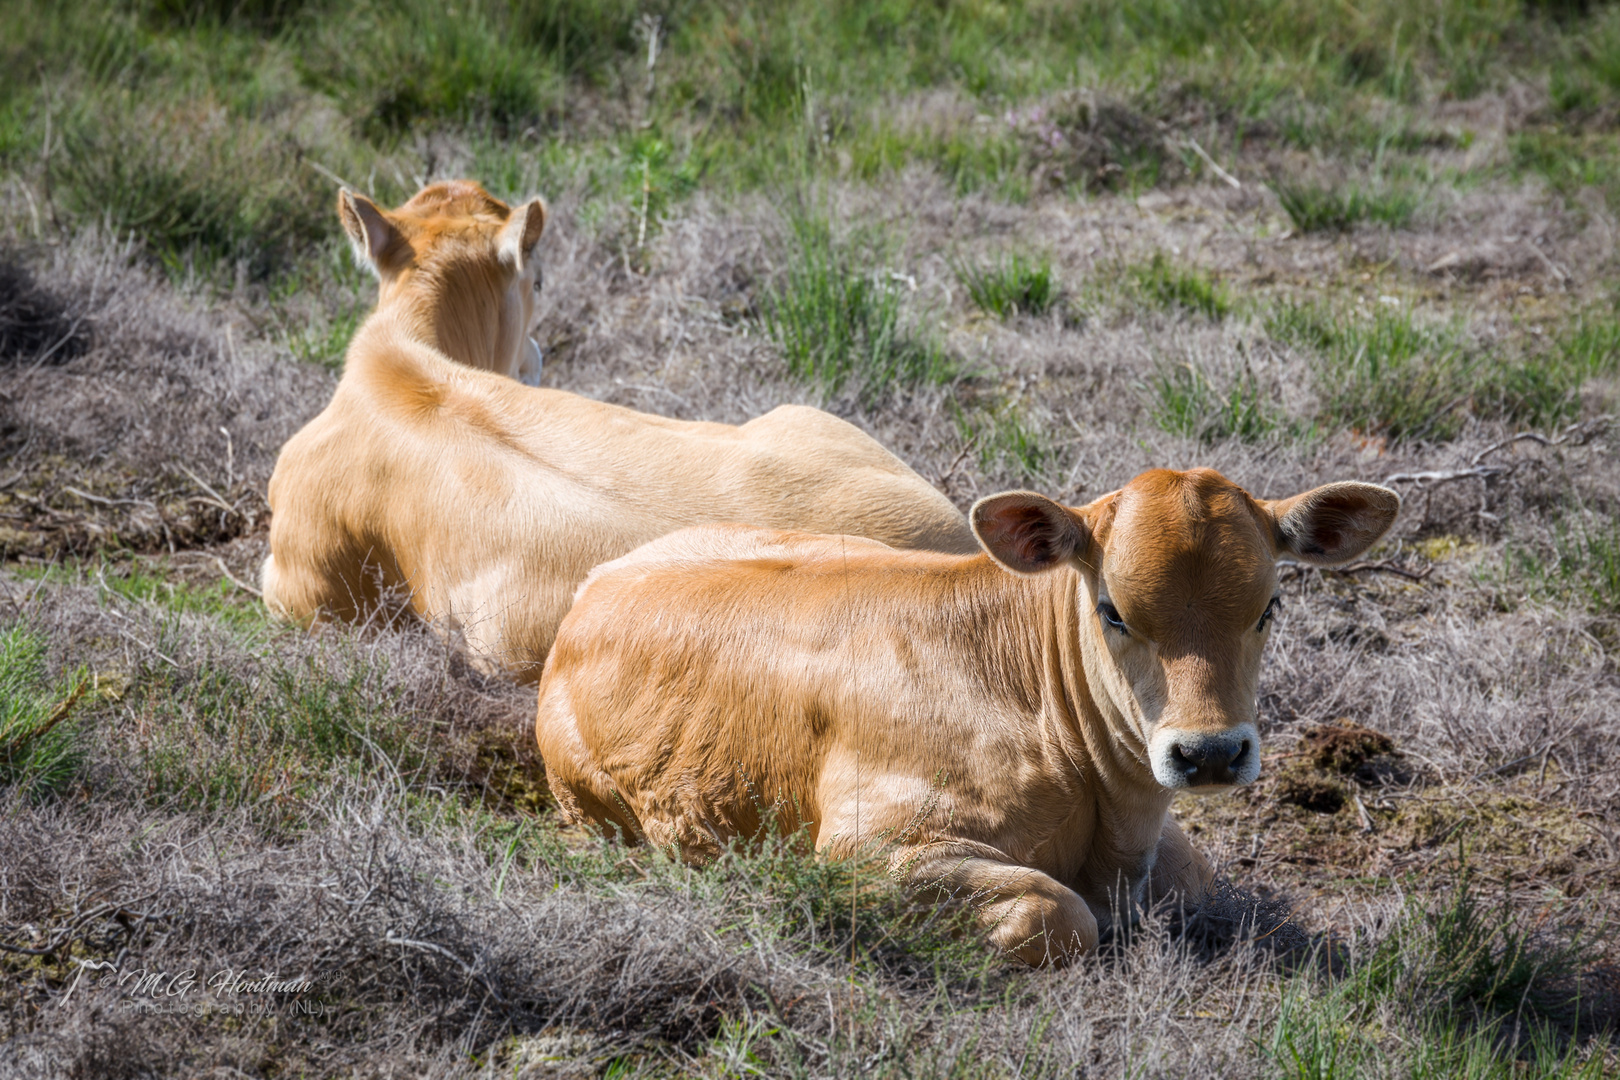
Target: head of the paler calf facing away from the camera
<point>461,266</point>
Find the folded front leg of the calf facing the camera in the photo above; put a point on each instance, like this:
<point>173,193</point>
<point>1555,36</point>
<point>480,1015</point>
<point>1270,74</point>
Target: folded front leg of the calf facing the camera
<point>1028,912</point>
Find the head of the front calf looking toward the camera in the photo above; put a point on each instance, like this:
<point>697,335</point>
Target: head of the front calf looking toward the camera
<point>1179,589</point>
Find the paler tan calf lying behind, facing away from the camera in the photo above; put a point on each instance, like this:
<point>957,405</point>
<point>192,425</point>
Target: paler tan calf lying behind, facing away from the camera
<point>437,477</point>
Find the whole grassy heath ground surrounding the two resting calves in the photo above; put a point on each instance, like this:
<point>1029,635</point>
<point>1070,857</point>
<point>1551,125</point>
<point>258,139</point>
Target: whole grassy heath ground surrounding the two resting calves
<point>360,801</point>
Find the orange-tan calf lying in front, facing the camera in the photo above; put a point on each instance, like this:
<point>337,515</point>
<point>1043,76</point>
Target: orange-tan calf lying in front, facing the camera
<point>1017,721</point>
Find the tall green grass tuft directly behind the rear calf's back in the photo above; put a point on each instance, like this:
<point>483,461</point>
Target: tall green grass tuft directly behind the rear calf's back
<point>838,318</point>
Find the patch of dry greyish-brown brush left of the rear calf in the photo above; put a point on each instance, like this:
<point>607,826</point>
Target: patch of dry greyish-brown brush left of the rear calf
<point>132,417</point>
